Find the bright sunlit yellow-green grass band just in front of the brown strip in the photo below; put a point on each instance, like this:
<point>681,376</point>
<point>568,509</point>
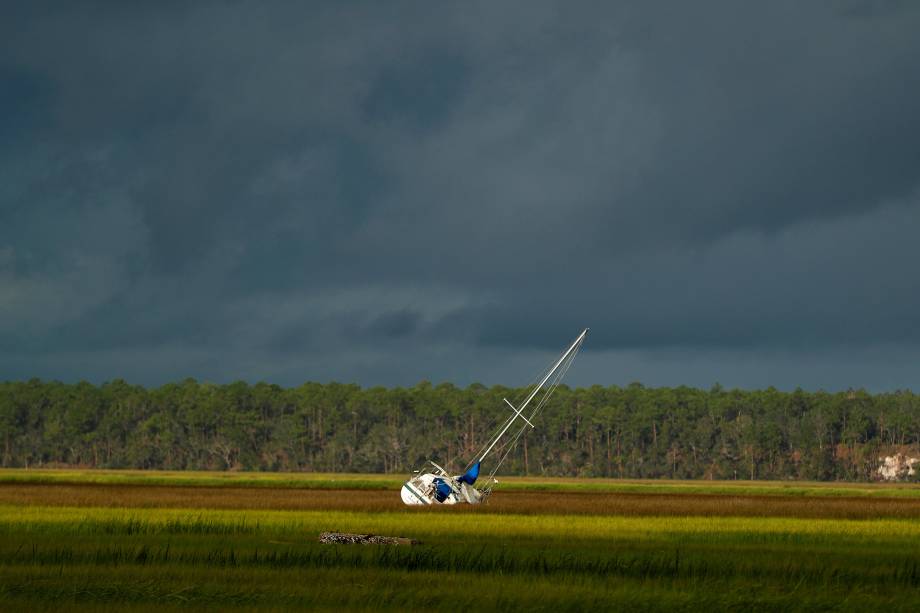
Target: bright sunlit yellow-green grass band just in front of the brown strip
<point>436,523</point>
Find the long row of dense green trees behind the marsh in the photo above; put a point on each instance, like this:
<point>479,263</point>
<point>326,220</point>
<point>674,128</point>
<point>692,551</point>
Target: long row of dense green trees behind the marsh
<point>628,432</point>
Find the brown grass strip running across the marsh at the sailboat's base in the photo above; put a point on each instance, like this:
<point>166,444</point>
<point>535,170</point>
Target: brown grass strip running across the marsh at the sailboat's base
<point>133,496</point>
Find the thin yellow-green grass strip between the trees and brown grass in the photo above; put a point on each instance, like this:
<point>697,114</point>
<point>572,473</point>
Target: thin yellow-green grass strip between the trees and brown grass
<point>393,482</point>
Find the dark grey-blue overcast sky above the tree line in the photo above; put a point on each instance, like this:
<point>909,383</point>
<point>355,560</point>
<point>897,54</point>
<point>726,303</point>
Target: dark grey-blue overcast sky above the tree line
<point>387,192</point>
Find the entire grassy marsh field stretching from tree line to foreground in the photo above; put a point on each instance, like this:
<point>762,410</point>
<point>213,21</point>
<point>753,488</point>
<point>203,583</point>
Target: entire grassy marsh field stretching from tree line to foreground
<point>73,540</point>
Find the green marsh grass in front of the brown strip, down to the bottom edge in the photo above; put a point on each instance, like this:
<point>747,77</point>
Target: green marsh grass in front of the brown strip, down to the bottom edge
<point>138,559</point>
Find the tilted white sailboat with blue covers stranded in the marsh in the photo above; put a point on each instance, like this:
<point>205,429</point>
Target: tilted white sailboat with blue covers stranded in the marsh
<point>440,487</point>
